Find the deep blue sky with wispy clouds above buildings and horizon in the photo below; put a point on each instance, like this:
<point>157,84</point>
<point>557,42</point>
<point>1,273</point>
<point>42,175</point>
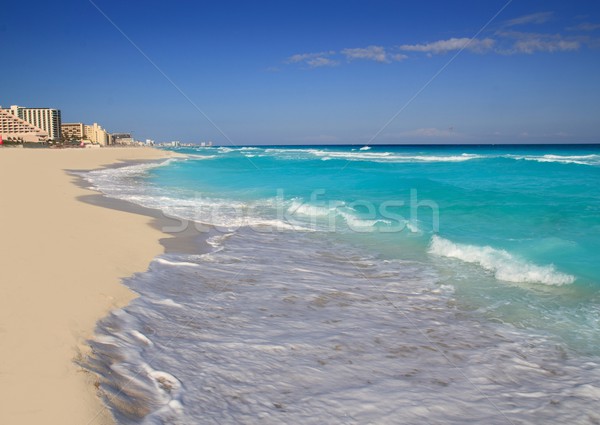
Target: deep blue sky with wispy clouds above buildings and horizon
<point>304,72</point>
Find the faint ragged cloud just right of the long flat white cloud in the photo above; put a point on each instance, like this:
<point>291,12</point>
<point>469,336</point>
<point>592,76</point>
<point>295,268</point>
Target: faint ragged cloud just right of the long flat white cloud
<point>529,43</point>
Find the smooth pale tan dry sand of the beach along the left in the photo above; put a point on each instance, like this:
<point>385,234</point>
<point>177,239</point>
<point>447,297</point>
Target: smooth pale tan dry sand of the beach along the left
<point>61,262</point>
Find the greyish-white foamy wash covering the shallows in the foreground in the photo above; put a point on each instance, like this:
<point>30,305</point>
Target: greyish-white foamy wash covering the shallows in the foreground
<point>295,331</point>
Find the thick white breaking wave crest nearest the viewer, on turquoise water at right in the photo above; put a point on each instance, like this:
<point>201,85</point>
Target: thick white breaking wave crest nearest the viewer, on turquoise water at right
<point>504,265</point>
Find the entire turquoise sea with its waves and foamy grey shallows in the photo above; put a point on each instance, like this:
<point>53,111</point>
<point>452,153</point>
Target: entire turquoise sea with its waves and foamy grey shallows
<point>384,285</point>
